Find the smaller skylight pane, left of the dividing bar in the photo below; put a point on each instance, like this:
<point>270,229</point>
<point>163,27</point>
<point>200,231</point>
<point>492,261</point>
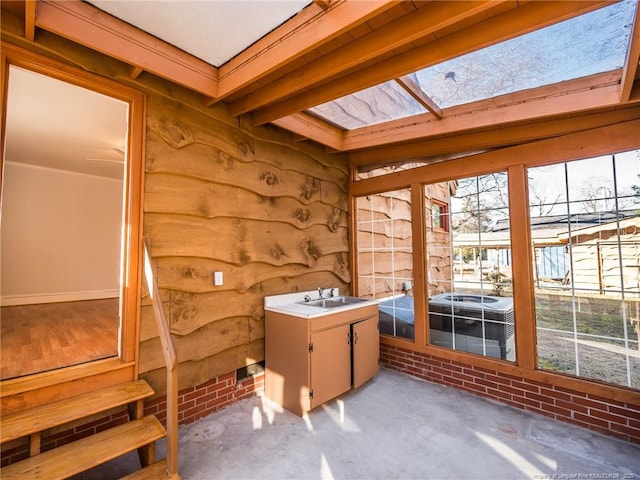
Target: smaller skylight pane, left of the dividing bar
<point>381,103</point>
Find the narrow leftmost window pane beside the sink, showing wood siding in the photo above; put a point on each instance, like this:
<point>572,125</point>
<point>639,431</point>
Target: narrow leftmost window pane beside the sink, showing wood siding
<point>385,258</point>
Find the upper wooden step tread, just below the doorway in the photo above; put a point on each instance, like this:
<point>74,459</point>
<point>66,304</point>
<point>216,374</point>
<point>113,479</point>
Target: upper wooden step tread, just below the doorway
<point>37,419</point>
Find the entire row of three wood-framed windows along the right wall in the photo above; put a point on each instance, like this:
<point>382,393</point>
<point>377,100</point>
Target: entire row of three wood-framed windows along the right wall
<point>569,229</point>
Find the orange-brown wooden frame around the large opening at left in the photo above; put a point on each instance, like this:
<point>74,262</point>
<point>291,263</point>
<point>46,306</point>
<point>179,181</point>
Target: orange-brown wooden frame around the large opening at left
<point>125,366</point>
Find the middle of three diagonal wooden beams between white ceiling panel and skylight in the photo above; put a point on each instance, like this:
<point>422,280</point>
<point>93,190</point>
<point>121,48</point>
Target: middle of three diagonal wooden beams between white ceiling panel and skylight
<point>418,24</point>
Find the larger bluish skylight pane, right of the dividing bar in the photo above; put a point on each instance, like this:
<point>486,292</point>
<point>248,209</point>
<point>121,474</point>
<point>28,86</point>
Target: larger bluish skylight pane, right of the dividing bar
<point>592,43</point>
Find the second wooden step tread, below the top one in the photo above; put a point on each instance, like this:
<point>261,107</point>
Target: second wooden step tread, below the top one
<point>81,455</point>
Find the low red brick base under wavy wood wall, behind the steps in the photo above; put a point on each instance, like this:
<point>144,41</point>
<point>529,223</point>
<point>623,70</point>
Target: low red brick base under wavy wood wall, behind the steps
<point>193,404</point>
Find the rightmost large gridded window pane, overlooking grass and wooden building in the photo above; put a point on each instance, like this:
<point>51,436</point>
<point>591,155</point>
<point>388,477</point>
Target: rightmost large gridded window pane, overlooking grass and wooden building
<point>585,230</point>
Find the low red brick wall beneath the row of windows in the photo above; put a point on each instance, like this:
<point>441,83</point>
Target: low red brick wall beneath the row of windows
<point>612,418</point>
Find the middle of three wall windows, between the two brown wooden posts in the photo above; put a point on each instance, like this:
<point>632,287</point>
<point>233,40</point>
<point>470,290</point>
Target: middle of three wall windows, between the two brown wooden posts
<point>469,267</point>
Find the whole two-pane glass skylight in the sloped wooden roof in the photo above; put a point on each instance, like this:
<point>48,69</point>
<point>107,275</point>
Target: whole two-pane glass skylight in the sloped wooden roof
<point>592,43</point>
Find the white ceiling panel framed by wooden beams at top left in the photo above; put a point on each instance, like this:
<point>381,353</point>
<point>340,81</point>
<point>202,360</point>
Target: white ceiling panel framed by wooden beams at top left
<point>212,30</point>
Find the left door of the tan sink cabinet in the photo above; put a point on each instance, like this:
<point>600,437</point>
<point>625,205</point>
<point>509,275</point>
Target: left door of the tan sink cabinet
<point>330,364</point>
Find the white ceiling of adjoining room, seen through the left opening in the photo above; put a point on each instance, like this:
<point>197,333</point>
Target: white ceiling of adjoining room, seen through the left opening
<point>54,124</point>
